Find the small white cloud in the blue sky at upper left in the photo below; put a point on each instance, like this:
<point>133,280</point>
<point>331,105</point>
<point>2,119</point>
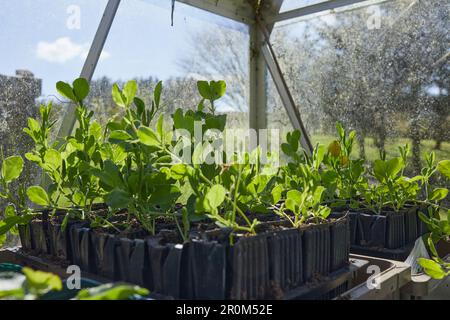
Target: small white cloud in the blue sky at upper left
<point>63,50</point>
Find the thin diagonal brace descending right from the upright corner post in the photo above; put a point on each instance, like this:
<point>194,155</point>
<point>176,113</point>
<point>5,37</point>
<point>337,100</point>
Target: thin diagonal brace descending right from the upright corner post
<point>283,89</point>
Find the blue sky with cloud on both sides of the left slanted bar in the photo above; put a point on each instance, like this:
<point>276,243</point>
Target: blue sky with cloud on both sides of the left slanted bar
<point>34,36</point>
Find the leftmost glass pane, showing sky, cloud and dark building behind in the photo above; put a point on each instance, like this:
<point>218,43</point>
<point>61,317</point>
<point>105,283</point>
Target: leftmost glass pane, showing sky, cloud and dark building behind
<point>42,42</point>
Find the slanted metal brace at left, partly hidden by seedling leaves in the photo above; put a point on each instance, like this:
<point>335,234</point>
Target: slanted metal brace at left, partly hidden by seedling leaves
<point>90,64</point>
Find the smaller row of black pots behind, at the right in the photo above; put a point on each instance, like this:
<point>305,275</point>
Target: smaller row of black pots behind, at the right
<point>389,230</point>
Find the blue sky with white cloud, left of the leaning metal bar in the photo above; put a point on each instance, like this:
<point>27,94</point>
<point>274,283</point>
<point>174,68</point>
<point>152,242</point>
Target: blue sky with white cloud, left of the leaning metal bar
<point>48,38</point>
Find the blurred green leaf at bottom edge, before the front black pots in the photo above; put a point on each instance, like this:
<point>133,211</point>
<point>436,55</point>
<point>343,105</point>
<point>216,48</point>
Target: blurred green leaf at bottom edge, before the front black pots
<point>111,292</point>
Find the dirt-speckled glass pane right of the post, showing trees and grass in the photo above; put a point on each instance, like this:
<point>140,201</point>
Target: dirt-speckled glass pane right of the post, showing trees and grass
<point>381,70</point>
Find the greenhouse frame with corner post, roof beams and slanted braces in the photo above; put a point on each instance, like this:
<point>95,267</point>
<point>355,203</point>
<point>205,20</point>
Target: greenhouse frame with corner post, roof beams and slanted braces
<point>260,16</point>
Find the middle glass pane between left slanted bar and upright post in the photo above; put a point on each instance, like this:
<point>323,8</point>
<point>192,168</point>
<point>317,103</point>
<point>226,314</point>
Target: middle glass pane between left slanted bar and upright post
<point>143,45</point>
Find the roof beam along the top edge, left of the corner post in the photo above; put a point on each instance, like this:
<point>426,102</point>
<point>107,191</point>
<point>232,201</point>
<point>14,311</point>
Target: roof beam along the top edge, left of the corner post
<point>237,10</point>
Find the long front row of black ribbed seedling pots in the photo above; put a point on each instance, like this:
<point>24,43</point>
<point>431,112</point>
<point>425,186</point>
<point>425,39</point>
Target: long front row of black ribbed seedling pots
<point>206,267</point>
